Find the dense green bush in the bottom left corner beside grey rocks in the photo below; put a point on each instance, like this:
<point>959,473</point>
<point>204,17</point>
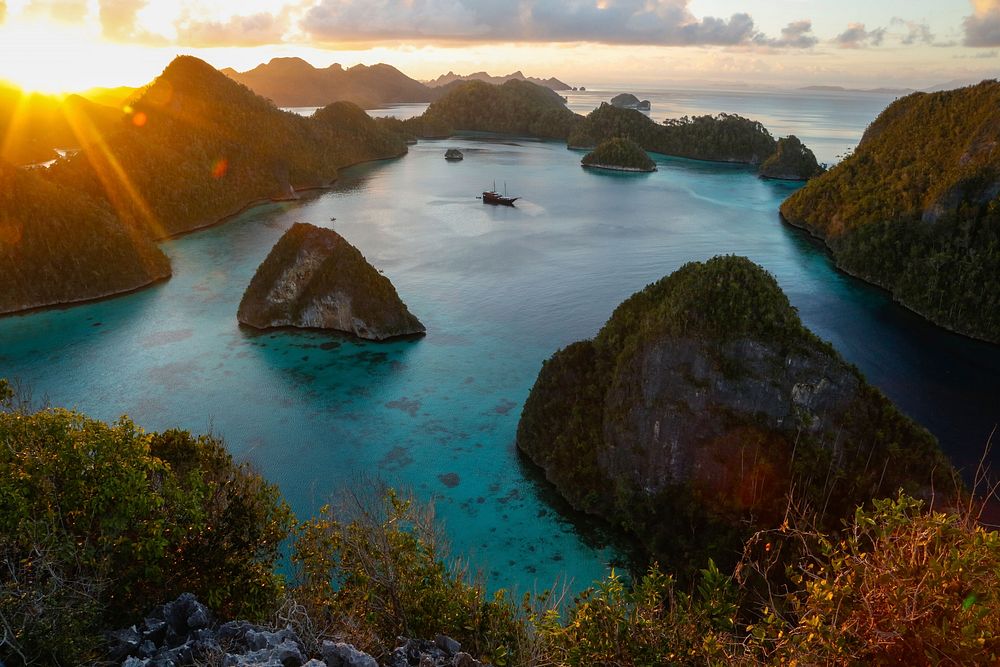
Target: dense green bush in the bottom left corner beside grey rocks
<point>100,522</point>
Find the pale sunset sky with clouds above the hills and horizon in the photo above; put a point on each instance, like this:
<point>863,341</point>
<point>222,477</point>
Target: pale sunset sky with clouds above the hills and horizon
<point>65,45</point>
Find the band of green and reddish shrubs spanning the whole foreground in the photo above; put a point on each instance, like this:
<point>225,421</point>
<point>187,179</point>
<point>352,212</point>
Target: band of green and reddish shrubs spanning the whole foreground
<point>99,522</point>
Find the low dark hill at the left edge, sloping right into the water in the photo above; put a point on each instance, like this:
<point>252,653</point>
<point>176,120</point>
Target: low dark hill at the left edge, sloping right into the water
<point>58,245</point>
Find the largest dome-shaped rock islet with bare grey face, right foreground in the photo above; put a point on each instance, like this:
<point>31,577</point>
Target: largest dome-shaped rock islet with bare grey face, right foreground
<point>701,402</point>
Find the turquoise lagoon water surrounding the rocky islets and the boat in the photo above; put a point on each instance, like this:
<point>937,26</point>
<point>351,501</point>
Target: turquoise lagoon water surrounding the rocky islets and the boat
<point>499,289</point>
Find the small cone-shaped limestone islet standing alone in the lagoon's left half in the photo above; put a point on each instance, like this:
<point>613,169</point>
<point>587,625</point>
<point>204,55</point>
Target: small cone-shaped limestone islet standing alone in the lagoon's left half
<point>314,279</point>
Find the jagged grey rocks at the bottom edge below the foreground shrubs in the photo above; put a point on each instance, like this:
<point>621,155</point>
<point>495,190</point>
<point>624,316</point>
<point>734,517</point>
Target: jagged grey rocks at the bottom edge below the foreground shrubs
<point>183,633</point>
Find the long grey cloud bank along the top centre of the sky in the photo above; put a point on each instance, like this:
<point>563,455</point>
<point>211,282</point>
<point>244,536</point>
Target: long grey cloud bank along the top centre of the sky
<point>654,22</point>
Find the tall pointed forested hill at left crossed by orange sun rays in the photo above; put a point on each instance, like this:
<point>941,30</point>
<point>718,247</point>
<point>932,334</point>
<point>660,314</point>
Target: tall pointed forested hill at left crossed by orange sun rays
<point>199,146</point>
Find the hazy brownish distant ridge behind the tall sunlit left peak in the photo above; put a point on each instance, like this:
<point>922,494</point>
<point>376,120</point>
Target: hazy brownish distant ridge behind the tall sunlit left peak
<point>292,82</point>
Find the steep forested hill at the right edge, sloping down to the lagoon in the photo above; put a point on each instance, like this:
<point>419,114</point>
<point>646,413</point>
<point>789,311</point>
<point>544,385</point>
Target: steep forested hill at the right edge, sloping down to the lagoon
<point>916,209</point>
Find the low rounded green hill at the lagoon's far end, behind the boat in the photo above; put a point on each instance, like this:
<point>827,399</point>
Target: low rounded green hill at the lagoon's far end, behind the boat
<point>516,107</point>
